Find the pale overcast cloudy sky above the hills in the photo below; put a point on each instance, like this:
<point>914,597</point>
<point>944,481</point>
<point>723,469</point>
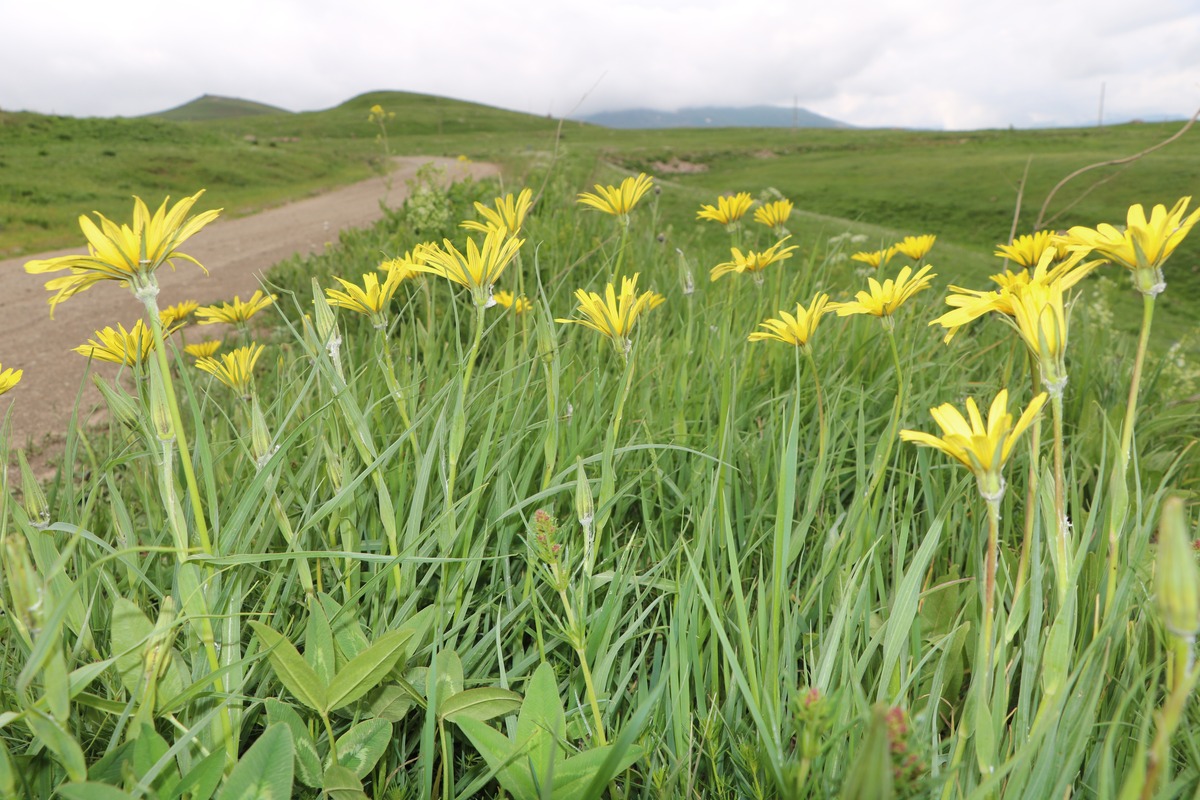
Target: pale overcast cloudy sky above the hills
<point>937,64</point>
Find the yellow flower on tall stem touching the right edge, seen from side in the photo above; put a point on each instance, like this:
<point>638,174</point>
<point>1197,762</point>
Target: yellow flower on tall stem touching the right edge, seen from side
<point>1144,245</point>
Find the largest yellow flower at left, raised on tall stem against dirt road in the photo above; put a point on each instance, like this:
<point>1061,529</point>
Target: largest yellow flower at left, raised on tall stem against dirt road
<point>125,254</point>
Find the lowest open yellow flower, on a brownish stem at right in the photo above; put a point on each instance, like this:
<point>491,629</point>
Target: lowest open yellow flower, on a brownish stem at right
<point>983,449</point>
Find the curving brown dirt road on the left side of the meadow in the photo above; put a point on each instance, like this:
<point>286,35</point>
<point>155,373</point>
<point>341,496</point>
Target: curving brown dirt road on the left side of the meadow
<point>237,254</point>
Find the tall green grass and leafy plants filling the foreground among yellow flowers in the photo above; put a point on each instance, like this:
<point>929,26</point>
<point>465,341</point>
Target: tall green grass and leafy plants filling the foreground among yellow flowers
<point>783,601</point>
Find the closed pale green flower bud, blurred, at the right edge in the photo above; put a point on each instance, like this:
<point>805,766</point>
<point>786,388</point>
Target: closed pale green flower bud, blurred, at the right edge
<point>1177,576</point>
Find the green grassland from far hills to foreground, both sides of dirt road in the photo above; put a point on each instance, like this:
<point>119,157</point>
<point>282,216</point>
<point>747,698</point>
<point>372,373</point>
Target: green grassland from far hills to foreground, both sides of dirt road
<point>449,550</point>
